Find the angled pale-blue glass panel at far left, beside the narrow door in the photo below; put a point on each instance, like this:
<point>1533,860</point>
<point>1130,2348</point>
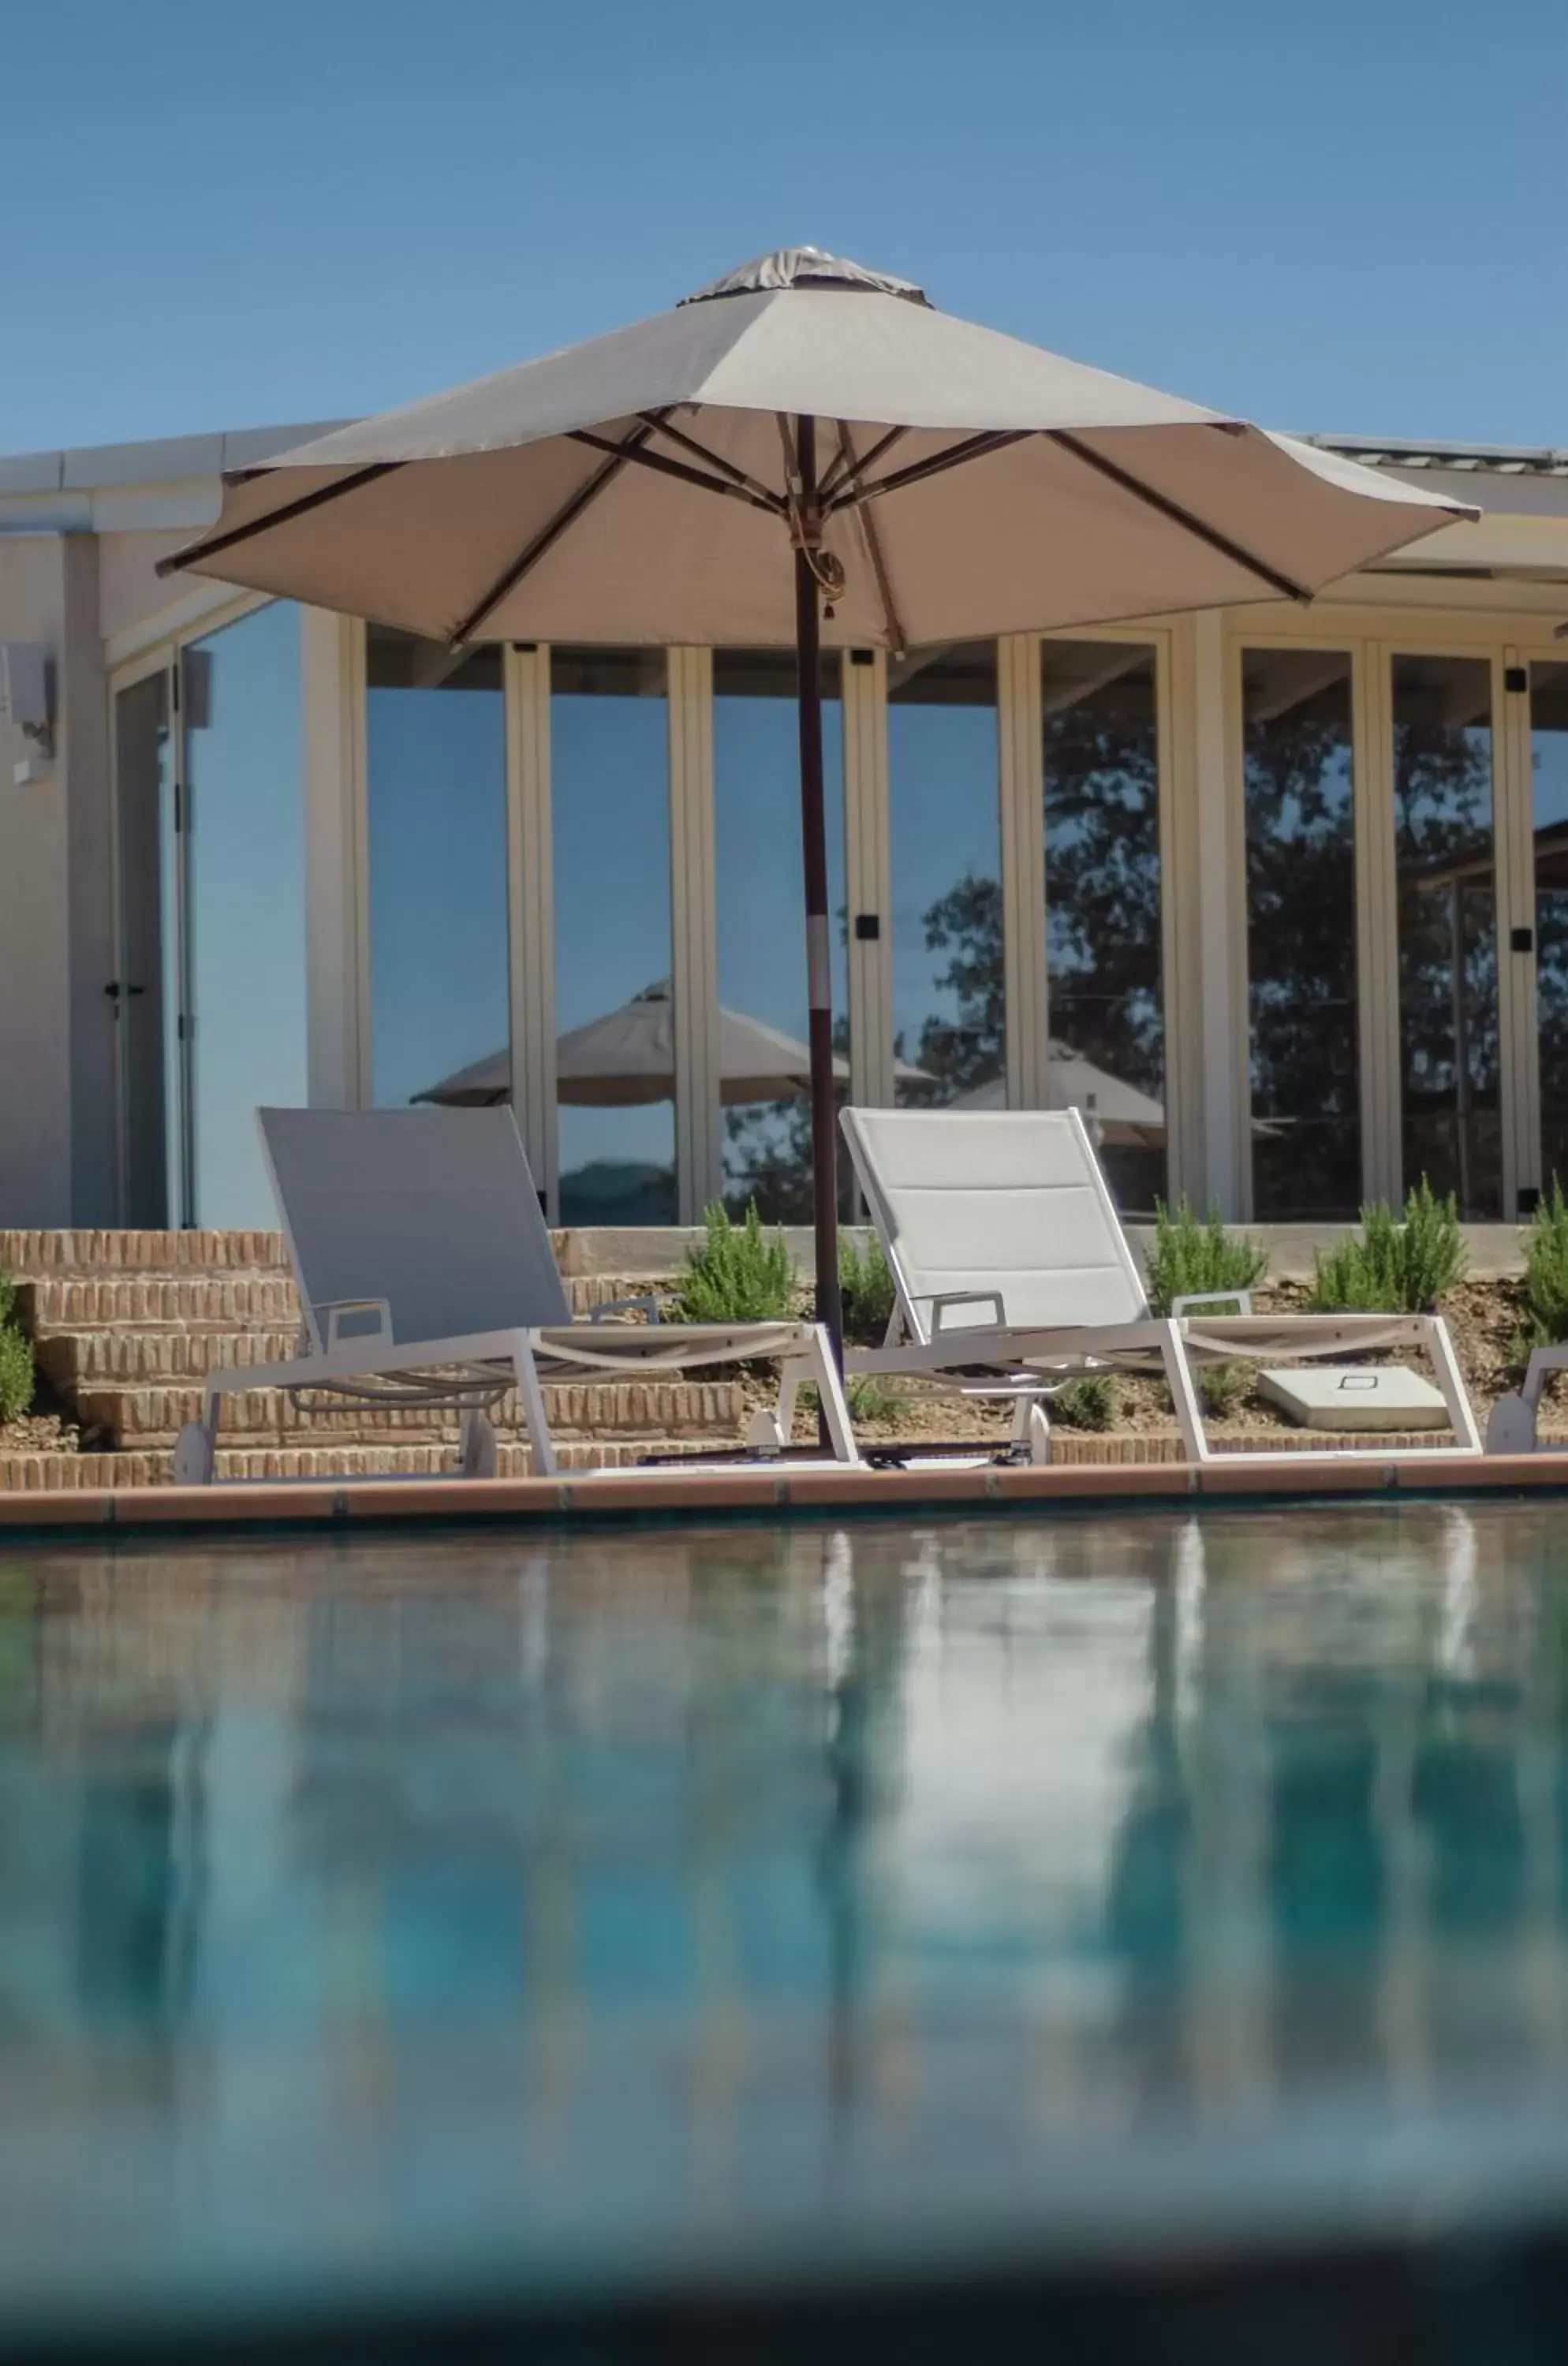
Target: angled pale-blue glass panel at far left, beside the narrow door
<point>245,903</point>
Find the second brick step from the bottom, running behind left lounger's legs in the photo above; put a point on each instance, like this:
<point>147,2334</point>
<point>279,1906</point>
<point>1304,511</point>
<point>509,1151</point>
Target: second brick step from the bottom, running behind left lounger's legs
<point>626,1407</point>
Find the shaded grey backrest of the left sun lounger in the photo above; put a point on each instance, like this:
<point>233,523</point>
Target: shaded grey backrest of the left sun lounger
<point>432,1210</point>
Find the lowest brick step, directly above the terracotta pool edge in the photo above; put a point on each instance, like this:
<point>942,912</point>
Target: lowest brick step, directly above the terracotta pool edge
<point>153,1468</point>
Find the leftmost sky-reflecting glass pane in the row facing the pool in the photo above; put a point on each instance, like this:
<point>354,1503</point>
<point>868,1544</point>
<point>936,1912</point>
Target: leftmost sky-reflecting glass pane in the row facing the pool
<point>436,744</point>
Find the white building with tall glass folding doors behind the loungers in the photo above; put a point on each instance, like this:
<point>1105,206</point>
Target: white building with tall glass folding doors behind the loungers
<point>1295,877</point>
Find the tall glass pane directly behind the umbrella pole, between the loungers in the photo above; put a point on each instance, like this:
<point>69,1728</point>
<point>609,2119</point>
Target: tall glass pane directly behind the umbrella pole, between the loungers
<point>763,938</point>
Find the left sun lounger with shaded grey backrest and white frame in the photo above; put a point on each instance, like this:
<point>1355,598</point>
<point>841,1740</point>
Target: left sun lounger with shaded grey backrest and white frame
<point>429,1281</point>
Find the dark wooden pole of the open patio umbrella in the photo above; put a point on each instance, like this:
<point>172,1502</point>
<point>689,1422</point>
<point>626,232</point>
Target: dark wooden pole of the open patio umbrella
<point>819,945</point>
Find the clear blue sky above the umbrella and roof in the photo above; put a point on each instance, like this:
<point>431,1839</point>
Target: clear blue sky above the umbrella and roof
<point>1349,216</point>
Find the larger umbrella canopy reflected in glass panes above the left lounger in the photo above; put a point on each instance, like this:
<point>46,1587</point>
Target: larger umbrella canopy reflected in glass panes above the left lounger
<point>626,1061</point>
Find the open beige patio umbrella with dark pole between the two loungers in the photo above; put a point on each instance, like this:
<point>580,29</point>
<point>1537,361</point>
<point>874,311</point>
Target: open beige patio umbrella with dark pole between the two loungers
<point>801,451</point>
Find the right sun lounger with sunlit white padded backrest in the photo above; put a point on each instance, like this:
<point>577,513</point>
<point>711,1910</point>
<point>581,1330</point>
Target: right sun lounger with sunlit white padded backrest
<point>1013,1274</point>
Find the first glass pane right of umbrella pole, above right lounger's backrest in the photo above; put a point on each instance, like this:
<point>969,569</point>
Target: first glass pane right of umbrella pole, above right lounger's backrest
<point>947,877</point>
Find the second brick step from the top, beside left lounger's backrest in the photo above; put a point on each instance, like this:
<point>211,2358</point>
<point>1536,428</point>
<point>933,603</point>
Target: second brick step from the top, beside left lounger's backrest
<point>240,1305</point>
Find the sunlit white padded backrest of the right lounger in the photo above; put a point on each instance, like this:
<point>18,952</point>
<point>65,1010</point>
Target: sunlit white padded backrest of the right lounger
<point>994,1201</point>
